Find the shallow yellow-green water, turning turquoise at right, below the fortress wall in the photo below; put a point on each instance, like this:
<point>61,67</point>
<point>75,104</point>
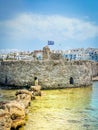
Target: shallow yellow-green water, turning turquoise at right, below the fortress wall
<point>65,109</point>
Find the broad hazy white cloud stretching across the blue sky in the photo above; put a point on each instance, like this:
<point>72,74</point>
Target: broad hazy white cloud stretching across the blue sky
<point>55,27</point>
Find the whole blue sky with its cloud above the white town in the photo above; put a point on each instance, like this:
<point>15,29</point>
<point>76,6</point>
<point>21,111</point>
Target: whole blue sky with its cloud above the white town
<point>30,24</point>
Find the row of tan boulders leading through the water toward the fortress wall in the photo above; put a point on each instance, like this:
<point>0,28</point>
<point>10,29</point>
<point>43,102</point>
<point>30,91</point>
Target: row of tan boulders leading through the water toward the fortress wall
<point>13,113</point>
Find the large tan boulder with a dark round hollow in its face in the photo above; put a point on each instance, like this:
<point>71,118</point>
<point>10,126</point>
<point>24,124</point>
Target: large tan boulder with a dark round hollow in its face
<point>17,113</point>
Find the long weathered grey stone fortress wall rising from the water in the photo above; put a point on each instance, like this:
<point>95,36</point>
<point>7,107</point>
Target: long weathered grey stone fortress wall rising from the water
<point>51,73</point>
